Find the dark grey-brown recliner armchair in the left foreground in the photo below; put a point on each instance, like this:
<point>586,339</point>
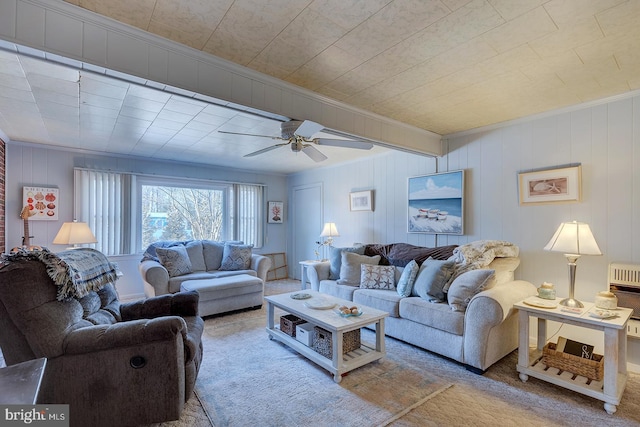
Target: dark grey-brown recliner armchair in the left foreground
<point>113,363</point>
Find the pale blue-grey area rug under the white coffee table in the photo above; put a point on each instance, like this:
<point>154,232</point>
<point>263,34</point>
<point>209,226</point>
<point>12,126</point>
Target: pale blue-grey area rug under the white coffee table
<point>251,380</point>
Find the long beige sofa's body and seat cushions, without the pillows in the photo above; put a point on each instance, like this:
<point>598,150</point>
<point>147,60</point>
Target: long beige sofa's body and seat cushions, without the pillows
<point>477,337</point>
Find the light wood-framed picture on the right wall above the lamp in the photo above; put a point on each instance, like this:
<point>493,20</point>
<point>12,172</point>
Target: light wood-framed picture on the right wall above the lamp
<point>557,185</point>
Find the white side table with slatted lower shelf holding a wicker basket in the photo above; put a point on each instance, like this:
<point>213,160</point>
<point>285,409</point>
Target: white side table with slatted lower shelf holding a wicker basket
<point>611,387</point>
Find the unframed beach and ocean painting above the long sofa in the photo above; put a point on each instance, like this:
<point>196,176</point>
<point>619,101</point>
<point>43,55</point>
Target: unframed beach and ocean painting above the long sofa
<point>436,203</point>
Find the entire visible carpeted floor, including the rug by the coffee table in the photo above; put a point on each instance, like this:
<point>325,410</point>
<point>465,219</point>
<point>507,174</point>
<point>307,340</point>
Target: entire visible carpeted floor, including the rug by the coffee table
<point>248,380</point>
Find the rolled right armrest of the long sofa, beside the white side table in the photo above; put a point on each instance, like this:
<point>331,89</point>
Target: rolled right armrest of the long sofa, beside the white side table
<point>490,324</point>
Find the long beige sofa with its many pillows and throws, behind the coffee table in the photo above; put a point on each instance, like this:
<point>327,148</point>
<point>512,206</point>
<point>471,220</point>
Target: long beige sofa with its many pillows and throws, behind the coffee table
<point>462,309</point>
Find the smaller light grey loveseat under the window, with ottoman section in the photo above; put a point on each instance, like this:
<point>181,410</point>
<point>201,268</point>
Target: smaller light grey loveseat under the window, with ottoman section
<point>205,263</point>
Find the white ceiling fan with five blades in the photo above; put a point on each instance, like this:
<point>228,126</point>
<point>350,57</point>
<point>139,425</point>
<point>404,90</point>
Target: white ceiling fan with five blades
<point>299,135</point>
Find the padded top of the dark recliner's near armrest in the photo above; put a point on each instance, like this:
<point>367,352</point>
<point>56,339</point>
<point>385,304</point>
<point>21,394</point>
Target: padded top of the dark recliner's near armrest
<point>124,334</point>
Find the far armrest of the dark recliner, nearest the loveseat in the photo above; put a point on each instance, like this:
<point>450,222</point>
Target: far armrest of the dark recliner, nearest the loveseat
<point>178,304</point>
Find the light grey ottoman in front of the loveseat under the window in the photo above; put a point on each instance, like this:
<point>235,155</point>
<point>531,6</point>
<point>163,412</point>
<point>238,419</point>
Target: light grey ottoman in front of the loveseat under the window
<point>224,294</point>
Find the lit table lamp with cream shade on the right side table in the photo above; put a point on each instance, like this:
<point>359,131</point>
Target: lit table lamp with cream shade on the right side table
<point>573,239</point>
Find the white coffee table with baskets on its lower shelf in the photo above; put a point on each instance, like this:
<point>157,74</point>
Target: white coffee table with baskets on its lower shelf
<point>327,319</point>
